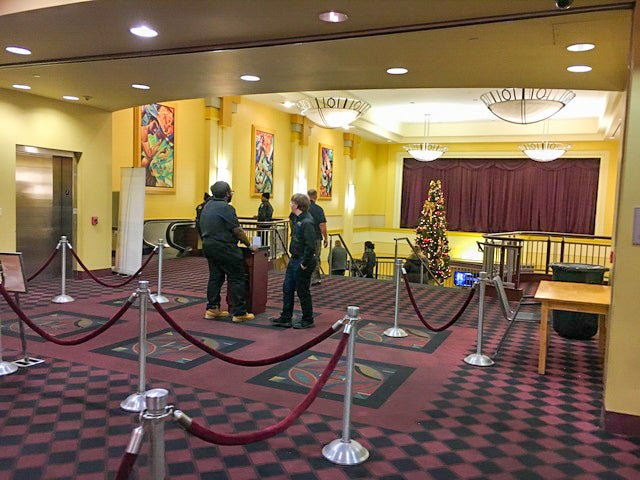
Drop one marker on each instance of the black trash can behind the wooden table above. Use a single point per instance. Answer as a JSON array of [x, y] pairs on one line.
[[575, 325]]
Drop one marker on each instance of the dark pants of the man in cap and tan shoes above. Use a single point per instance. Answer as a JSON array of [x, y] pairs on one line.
[[226, 260]]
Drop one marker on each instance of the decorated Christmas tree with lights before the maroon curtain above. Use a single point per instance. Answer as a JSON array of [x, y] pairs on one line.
[[431, 233]]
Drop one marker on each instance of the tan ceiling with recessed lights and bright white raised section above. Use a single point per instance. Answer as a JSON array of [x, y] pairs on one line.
[[455, 50]]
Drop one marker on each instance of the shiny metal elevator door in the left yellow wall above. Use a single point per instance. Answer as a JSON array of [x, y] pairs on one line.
[[44, 210]]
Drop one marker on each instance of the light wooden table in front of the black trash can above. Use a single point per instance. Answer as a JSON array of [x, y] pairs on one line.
[[572, 297]]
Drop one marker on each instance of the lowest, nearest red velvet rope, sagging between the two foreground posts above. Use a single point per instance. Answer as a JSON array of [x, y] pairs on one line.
[[245, 438]]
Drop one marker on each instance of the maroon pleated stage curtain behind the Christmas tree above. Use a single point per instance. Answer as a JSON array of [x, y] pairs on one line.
[[501, 195]]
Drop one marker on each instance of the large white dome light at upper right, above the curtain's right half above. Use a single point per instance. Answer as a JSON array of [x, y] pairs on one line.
[[526, 105]]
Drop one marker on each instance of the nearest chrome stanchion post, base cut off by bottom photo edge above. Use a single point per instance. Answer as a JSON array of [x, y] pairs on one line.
[[154, 416]]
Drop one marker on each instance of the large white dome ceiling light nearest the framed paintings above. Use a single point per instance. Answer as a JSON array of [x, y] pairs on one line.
[[332, 112]]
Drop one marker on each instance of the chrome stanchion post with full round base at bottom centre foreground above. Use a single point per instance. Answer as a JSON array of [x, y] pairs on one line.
[[345, 451]]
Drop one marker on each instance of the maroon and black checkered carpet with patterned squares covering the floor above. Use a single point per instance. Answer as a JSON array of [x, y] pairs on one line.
[[438, 418]]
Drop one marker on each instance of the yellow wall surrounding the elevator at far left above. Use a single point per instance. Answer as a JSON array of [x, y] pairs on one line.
[[64, 126]]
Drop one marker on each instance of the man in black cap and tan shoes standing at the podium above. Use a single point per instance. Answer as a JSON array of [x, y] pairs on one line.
[[221, 232]]
